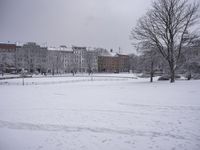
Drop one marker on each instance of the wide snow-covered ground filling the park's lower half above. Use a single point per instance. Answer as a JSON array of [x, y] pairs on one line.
[[100, 114]]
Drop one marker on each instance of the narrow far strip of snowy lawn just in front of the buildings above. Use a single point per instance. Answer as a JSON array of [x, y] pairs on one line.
[[66, 78]]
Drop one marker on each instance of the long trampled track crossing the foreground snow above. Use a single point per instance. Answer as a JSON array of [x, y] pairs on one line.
[[64, 128]]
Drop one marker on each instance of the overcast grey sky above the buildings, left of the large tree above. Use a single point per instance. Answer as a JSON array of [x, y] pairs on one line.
[[95, 23]]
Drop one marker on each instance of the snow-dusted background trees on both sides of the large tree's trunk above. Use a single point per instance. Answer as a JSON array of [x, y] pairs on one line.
[[151, 63]]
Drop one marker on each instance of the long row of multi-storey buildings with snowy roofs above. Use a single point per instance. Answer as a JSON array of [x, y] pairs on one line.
[[36, 59]]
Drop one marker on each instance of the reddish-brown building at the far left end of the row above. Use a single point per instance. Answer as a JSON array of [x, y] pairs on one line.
[[7, 57]]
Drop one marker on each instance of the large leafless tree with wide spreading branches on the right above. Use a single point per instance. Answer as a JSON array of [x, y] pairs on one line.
[[167, 27]]
